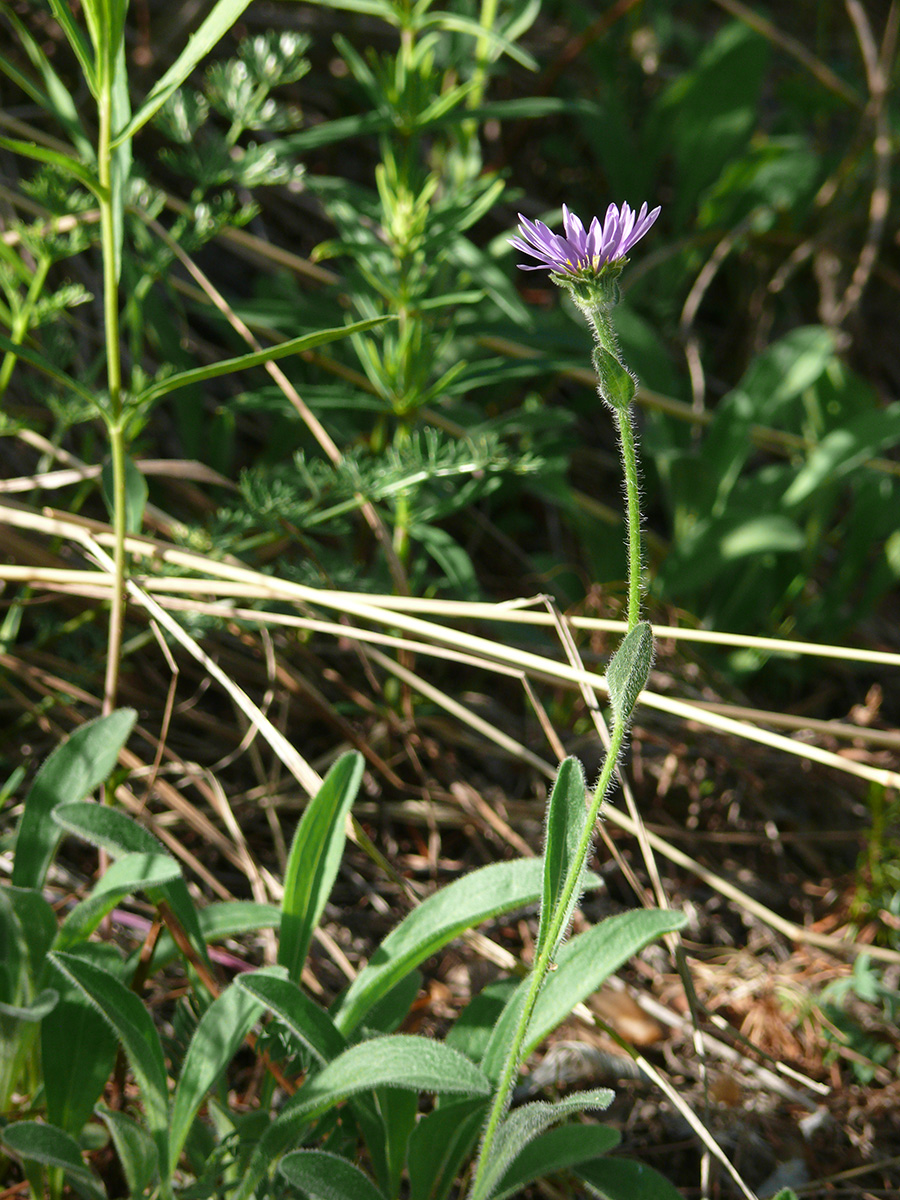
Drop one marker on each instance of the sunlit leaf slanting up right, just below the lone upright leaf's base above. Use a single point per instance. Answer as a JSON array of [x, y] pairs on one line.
[[221, 1031]]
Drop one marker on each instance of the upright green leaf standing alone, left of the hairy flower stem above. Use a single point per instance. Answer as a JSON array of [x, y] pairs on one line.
[[315, 859]]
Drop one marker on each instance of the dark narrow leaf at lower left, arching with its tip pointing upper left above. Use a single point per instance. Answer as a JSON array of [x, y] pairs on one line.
[[135, 1028]]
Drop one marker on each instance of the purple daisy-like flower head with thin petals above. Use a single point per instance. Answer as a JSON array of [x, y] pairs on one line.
[[583, 251]]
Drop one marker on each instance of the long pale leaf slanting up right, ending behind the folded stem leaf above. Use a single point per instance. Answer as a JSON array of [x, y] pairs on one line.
[[449, 913]]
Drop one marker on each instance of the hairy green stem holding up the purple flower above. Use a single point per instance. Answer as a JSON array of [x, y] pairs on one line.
[[616, 389]]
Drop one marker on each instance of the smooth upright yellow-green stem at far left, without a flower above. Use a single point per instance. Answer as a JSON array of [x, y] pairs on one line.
[[113, 415]]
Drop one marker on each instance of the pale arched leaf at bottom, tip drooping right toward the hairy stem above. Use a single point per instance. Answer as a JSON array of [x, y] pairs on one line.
[[399, 1061]]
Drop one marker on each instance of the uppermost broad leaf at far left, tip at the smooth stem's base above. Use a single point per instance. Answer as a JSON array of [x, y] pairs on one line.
[[70, 773]]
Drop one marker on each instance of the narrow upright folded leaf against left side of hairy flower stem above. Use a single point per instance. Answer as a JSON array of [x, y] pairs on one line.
[[567, 815]]
